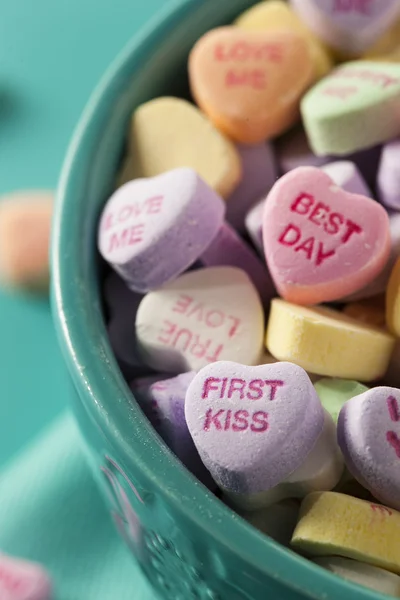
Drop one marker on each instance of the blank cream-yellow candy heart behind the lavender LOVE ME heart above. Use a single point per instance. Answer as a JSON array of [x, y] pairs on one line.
[[161, 139]]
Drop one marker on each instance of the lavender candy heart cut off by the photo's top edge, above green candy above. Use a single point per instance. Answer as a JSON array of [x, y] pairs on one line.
[[348, 25]]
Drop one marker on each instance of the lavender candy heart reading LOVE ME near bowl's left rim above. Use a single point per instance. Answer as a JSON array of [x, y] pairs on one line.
[[151, 230]]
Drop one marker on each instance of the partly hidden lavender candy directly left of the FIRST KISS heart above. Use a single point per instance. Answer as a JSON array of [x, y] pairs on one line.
[[163, 402]]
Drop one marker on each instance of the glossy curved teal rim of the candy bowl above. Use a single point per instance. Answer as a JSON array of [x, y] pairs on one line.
[[94, 370]]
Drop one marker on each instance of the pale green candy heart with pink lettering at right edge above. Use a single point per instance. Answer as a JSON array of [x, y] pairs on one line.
[[354, 107]]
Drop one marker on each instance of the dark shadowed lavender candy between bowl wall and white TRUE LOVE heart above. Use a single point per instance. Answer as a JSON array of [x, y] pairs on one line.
[[123, 305]]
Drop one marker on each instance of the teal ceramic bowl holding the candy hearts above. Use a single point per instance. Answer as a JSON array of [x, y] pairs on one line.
[[189, 545]]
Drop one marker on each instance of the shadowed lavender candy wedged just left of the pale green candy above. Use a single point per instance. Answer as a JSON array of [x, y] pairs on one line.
[[293, 150]]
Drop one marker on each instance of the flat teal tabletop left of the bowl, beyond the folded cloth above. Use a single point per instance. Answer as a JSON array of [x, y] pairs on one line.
[[52, 54]]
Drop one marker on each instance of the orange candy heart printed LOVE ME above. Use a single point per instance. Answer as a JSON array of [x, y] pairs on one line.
[[250, 83]]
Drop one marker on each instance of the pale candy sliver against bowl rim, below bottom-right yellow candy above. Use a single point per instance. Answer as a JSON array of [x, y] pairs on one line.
[[369, 576]]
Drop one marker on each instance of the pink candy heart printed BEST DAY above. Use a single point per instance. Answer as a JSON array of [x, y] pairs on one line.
[[322, 243]]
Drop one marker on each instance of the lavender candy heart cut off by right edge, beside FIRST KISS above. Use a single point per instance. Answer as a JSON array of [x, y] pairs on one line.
[[369, 436]]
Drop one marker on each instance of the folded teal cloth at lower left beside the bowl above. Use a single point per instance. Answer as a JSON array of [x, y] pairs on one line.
[[51, 512]]
